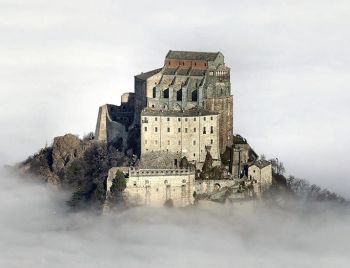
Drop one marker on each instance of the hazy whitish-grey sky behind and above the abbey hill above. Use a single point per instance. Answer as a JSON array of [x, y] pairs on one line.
[[290, 60]]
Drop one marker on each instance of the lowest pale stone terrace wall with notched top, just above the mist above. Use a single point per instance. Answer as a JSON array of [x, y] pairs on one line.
[[153, 187]]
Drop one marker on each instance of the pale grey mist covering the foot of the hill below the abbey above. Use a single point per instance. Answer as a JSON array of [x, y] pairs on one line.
[[38, 230]]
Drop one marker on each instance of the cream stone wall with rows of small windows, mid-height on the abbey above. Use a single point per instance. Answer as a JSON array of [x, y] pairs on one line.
[[182, 135]]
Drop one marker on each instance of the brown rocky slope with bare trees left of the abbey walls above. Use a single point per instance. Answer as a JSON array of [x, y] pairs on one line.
[[81, 165]]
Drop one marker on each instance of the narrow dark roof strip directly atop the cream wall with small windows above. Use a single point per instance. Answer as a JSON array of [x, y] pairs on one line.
[[184, 113]]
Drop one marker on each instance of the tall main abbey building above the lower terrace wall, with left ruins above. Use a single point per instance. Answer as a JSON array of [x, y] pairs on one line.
[[182, 109]]
